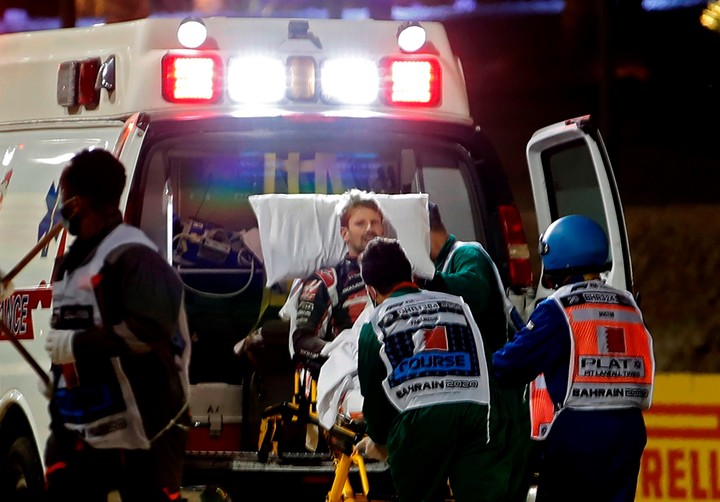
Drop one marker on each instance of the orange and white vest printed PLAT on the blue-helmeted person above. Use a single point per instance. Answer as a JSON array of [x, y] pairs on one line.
[[611, 354]]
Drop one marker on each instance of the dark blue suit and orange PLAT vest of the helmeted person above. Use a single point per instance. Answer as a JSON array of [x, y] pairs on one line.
[[593, 449]]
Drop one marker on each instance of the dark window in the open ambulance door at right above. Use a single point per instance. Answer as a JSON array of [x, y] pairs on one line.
[[572, 182]]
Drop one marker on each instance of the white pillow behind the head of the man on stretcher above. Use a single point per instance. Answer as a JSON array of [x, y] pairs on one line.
[[300, 233]]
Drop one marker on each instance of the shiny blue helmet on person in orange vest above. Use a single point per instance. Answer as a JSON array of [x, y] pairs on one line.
[[574, 244]]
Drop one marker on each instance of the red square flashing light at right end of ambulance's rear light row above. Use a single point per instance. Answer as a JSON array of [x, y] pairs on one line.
[[411, 82]]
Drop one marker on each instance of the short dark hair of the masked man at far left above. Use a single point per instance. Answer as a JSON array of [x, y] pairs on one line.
[[97, 176]]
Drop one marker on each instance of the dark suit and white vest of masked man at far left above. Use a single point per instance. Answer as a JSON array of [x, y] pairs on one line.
[[116, 411]]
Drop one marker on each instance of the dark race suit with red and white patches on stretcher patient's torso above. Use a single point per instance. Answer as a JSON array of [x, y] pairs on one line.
[[330, 300]]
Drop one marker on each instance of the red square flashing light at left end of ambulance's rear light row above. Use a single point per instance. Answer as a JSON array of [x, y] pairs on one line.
[[192, 77]]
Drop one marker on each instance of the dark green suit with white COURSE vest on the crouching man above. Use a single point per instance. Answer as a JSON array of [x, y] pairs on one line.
[[423, 375]]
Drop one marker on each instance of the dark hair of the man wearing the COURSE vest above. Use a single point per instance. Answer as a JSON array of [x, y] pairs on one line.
[[384, 264]]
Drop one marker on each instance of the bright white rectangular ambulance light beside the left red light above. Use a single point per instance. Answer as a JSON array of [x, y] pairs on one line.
[[256, 80]]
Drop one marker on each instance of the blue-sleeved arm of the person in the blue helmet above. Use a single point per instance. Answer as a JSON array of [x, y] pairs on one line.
[[543, 344]]
